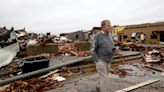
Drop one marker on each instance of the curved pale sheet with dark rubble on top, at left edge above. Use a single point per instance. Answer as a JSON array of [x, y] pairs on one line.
[[8, 46]]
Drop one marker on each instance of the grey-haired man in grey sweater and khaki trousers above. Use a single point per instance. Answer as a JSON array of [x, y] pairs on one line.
[[102, 50]]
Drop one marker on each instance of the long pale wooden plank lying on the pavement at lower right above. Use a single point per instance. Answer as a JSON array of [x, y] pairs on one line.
[[138, 85]]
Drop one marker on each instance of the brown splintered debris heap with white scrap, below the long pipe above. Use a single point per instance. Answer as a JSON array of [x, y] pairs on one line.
[[51, 80]]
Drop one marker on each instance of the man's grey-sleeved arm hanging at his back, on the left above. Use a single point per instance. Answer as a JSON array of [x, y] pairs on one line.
[[94, 48]]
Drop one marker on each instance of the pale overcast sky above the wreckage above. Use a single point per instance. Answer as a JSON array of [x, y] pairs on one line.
[[58, 16]]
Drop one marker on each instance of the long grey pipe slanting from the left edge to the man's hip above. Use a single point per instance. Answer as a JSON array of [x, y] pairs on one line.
[[7, 81]]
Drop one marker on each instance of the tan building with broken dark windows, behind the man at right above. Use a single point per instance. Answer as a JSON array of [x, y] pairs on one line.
[[149, 33]]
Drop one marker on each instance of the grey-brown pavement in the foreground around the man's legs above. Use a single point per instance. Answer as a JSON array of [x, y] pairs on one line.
[[88, 84]]
